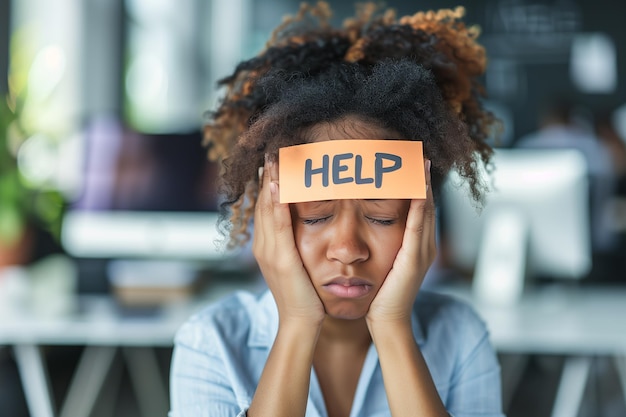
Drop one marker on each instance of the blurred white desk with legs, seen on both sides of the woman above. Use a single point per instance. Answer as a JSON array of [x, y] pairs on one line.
[[578, 322]]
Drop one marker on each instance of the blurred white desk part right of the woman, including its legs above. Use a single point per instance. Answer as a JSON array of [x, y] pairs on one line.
[[576, 322]]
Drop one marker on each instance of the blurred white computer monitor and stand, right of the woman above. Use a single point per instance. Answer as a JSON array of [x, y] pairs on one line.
[[535, 222]]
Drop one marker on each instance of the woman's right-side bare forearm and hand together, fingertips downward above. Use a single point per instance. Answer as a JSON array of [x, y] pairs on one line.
[[408, 383]]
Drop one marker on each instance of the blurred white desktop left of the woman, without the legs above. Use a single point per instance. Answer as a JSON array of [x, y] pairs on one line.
[[99, 320]]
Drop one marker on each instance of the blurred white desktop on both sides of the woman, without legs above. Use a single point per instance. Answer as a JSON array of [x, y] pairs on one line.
[[549, 320]]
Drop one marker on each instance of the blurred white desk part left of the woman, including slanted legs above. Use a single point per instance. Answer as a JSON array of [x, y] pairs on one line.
[[98, 324]]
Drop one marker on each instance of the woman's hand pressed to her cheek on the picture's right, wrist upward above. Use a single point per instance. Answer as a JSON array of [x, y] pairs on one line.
[[395, 298]]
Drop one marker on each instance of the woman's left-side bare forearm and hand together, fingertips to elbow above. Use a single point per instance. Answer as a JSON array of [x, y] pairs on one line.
[[284, 384]]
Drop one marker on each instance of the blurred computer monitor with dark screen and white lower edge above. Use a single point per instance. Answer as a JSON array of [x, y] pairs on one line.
[[144, 196]]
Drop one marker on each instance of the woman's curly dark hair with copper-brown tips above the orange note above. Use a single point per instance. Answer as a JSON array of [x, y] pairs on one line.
[[417, 76]]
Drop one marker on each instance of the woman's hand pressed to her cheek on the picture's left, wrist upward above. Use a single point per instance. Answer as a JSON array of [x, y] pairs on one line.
[[275, 251]]
